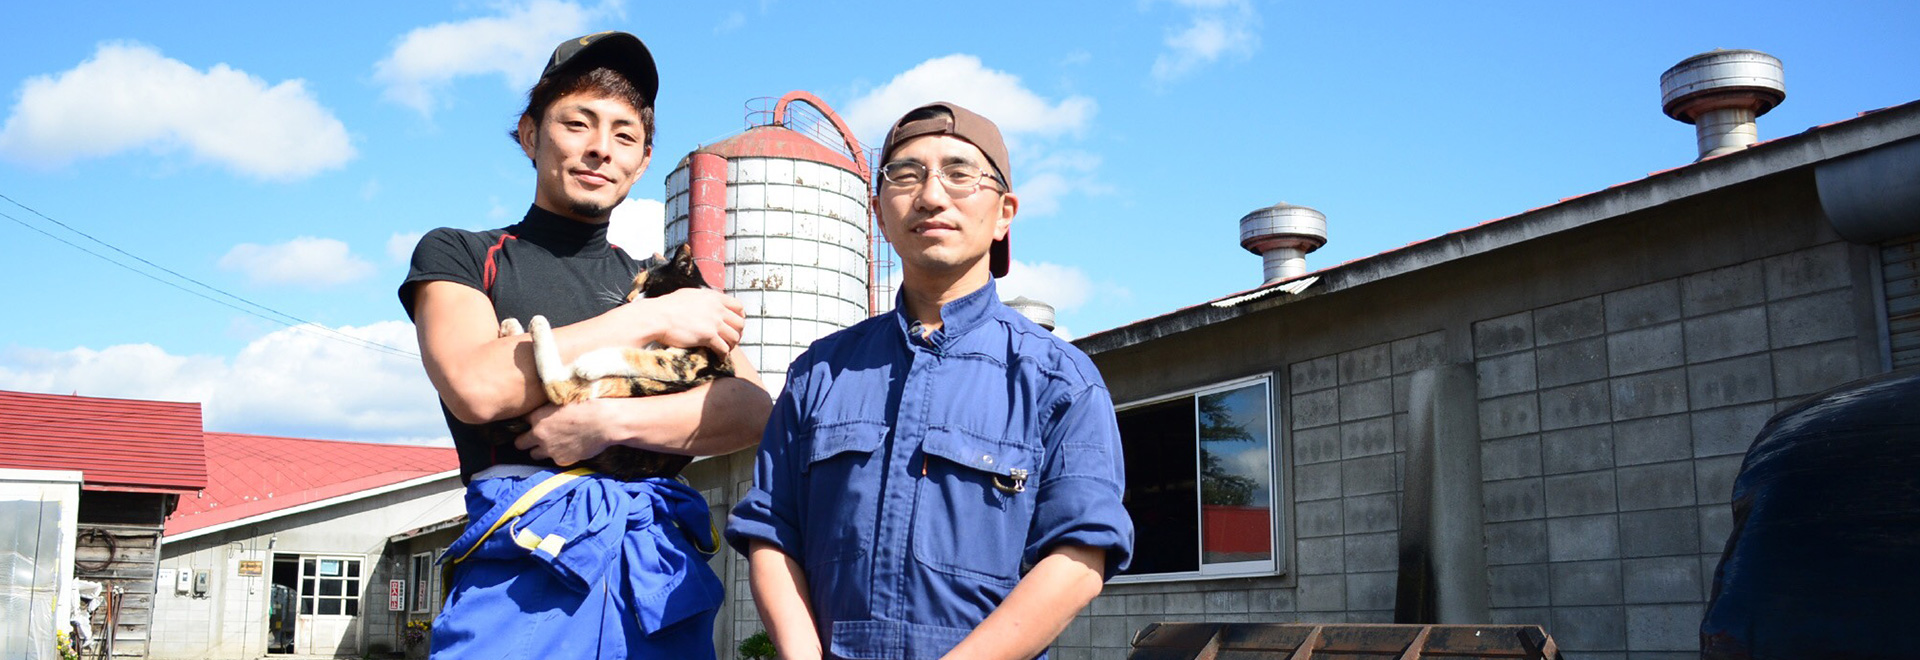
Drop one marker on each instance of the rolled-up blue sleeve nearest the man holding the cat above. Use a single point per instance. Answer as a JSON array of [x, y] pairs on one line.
[[773, 507]]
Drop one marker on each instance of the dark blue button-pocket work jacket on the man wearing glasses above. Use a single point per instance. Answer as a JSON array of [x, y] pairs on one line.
[[919, 479]]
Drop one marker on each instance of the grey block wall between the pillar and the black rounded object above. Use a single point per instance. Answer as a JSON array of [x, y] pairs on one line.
[[1614, 427]]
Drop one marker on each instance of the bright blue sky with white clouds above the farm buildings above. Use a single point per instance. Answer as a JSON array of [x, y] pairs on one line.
[[291, 153]]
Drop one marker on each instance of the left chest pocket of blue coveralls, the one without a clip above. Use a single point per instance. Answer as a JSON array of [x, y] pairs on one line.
[[842, 492]]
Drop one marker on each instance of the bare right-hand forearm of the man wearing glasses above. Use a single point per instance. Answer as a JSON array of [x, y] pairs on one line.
[[1040, 609]]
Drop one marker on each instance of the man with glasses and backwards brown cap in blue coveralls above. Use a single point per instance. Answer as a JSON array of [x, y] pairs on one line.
[[942, 481]]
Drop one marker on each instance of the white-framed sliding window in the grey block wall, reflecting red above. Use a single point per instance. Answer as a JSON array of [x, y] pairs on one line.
[[1201, 483]]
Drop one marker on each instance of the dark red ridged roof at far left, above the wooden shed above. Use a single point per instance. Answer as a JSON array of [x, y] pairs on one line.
[[116, 444]]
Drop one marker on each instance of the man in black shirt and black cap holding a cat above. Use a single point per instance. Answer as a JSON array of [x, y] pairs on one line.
[[646, 590]]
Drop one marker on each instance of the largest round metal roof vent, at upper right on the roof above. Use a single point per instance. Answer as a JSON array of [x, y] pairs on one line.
[[1721, 93]]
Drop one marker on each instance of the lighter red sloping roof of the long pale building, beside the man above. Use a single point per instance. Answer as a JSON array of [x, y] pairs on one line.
[[260, 475]]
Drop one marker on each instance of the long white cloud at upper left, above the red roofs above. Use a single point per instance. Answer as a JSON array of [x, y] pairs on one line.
[[132, 97]]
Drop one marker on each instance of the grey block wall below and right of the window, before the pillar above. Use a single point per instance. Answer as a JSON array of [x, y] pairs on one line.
[[1345, 423]]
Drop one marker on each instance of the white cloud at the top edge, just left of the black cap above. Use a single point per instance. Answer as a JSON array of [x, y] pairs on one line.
[[514, 45]]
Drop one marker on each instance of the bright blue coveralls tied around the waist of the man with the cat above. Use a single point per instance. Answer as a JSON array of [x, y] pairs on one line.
[[590, 569]]
